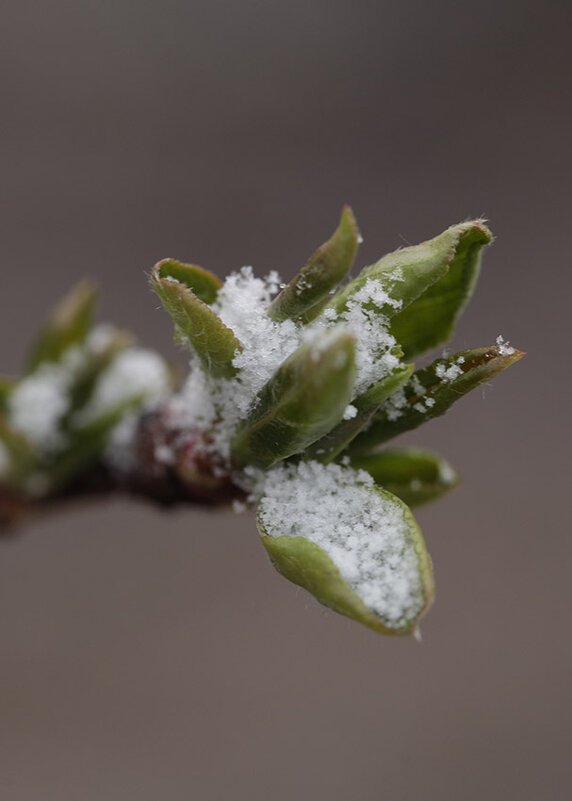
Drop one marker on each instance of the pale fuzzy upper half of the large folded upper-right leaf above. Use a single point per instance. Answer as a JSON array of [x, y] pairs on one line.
[[408, 272]]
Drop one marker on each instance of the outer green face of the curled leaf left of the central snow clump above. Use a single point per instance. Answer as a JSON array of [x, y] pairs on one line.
[[196, 323]]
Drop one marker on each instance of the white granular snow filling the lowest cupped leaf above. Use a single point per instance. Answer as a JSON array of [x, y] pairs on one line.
[[363, 532]]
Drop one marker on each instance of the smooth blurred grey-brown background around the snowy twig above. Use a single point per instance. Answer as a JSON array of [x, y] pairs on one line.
[[151, 656]]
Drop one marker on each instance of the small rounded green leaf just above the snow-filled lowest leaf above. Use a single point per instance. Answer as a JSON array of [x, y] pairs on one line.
[[415, 475]]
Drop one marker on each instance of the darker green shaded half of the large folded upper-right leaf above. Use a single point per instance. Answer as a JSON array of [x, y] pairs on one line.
[[430, 319]]
